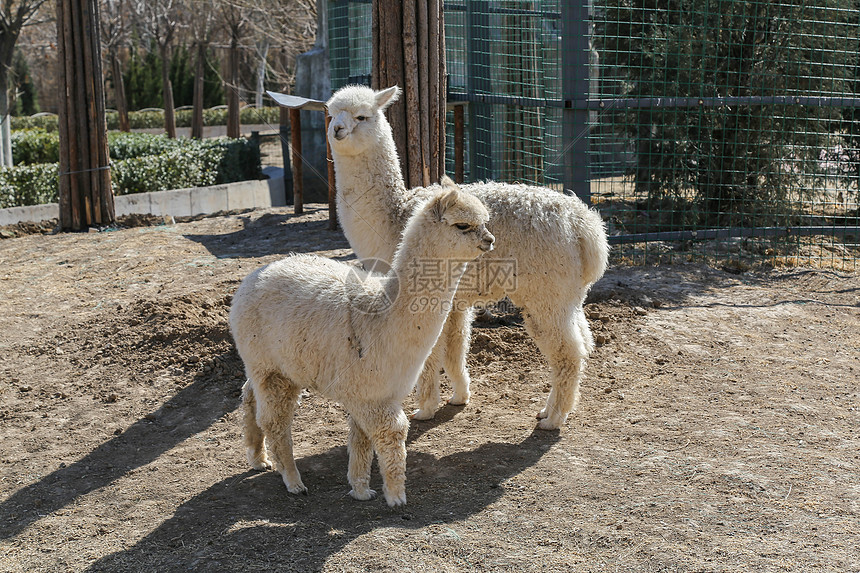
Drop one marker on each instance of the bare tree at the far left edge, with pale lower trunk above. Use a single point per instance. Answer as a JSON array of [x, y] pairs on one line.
[[14, 15]]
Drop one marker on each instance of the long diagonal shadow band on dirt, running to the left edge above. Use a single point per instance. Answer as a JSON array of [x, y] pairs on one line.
[[191, 410]]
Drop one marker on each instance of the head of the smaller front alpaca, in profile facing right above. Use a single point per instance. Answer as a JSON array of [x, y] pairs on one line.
[[459, 223]]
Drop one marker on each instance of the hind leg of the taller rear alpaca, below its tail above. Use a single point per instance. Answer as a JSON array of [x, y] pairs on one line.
[[560, 339]]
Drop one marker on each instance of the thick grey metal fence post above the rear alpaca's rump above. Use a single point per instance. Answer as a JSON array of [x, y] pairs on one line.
[[575, 91]]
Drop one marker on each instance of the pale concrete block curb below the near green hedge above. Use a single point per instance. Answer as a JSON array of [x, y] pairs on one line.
[[178, 203]]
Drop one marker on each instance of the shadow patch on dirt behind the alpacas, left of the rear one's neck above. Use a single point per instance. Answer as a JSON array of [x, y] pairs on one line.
[[273, 233]]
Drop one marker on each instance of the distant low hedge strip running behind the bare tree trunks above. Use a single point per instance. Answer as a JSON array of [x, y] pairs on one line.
[[155, 119]]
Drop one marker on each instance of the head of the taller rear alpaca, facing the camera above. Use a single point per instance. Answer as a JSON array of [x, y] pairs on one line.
[[357, 119]]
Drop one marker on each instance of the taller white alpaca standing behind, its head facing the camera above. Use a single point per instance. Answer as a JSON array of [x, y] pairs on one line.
[[553, 249]]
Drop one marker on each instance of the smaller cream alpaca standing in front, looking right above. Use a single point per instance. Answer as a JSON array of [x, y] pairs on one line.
[[355, 337]]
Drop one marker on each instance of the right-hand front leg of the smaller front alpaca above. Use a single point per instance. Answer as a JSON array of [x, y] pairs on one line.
[[387, 429]]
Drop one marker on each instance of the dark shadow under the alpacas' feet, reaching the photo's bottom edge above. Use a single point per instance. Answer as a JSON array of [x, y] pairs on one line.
[[249, 521]]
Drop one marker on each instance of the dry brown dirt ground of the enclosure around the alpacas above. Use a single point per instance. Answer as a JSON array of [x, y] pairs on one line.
[[718, 427]]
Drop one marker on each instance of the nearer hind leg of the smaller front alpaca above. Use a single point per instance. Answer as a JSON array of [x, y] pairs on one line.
[[277, 400]]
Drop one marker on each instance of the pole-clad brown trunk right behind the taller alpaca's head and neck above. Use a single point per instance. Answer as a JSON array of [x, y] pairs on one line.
[[409, 51]]
